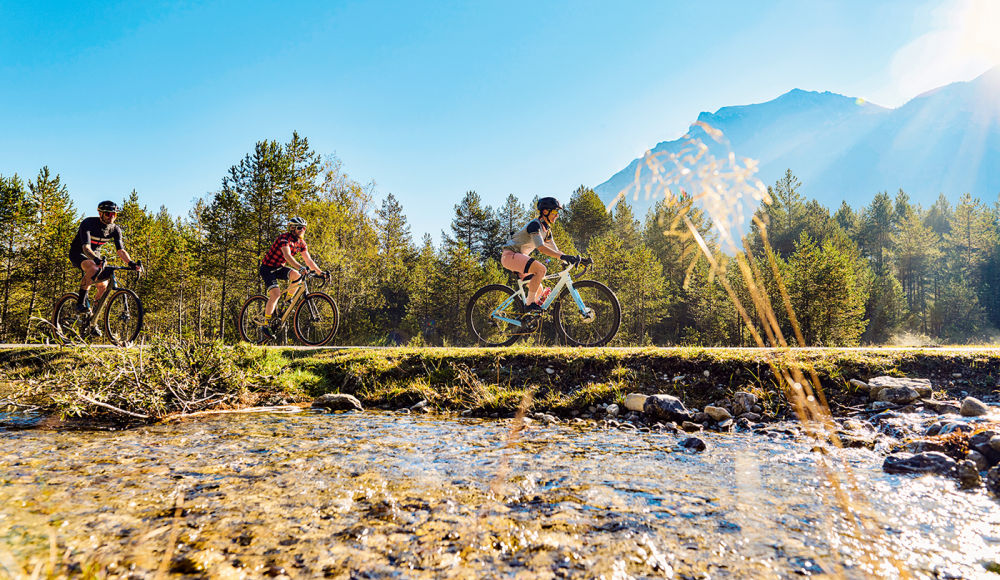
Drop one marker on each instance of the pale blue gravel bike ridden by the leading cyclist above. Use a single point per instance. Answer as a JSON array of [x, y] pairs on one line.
[[587, 313]]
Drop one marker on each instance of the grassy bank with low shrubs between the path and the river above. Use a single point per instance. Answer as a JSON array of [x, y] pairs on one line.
[[179, 378]]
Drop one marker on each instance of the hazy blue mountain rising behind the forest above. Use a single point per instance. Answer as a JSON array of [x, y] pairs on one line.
[[841, 148]]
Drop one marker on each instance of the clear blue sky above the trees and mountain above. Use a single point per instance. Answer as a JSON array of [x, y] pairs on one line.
[[432, 101]]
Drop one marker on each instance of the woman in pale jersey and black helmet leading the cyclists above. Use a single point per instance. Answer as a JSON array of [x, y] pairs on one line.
[[536, 235]]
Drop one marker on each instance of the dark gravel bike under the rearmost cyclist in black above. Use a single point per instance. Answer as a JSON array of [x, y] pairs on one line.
[[121, 307]]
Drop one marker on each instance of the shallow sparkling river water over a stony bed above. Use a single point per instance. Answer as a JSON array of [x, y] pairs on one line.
[[379, 495]]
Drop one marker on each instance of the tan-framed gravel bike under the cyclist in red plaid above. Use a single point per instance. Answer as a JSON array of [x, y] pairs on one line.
[[314, 315]]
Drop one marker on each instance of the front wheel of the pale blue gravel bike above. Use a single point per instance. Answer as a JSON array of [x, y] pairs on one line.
[[599, 324]]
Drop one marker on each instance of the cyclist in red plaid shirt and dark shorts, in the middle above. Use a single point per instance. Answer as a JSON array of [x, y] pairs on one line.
[[275, 266]]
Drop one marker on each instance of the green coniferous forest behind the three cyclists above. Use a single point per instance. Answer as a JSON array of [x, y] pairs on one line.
[[892, 272]]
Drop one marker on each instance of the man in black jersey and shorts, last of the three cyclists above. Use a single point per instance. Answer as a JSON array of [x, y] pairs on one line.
[[85, 251]]
